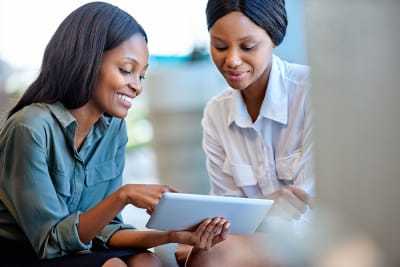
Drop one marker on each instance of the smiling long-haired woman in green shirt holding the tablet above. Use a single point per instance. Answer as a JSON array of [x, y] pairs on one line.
[[62, 153]]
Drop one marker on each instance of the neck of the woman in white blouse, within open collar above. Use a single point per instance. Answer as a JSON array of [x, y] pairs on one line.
[[254, 94]]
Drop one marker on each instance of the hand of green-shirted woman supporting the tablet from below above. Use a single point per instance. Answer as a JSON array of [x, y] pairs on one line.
[[206, 235]]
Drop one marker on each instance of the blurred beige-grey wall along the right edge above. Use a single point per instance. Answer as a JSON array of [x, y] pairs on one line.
[[354, 53]]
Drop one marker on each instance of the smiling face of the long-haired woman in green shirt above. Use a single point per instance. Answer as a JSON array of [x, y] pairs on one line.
[[120, 78]]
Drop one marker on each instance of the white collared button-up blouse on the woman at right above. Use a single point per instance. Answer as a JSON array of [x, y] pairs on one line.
[[256, 159]]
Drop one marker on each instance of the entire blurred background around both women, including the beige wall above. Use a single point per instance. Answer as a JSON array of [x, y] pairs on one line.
[[352, 47]]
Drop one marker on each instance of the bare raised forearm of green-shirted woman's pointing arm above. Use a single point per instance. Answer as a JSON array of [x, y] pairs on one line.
[[94, 220]]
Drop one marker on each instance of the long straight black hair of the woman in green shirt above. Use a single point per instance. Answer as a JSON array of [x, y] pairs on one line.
[[73, 57]]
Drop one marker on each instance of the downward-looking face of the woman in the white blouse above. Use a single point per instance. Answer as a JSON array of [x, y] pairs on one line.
[[241, 50]]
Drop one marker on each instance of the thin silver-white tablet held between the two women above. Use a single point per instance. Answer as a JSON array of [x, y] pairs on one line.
[[177, 211]]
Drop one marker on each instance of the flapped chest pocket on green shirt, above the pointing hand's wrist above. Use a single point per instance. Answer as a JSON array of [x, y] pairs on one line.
[[102, 172]]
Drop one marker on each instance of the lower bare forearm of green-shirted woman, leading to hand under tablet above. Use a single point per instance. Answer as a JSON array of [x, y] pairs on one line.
[[141, 239]]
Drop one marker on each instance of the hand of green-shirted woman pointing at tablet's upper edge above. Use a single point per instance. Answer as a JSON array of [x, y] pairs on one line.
[[145, 196]]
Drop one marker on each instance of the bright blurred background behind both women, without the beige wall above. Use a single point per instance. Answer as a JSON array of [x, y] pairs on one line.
[[164, 127]]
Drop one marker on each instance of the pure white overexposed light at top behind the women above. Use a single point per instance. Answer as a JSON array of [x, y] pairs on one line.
[[174, 27]]
